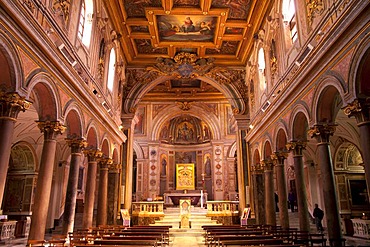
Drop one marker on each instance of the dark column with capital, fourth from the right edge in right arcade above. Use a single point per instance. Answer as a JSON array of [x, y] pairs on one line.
[[278, 159]]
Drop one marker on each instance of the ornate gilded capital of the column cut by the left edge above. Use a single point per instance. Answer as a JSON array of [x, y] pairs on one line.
[[11, 103]]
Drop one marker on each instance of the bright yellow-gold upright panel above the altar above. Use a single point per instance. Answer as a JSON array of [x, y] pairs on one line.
[[185, 177]]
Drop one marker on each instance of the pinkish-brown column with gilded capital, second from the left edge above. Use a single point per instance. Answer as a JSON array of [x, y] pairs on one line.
[[44, 179]]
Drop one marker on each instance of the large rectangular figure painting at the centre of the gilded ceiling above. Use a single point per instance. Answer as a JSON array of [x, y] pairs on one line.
[[186, 27]]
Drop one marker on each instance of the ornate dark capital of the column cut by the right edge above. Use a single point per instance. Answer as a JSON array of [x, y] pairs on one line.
[[360, 109]]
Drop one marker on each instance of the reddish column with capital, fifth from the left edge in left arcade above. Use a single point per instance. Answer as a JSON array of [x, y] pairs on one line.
[[102, 212]]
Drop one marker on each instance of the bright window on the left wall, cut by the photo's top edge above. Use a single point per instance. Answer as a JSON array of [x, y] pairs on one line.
[[85, 24]]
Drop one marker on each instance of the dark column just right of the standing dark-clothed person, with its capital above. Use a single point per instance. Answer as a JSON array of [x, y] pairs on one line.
[[322, 133]]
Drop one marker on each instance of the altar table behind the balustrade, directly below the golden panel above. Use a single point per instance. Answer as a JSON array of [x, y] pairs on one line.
[[173, 198]]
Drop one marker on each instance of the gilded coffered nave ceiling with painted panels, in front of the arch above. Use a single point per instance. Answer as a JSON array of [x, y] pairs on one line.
[[219, 29]]
